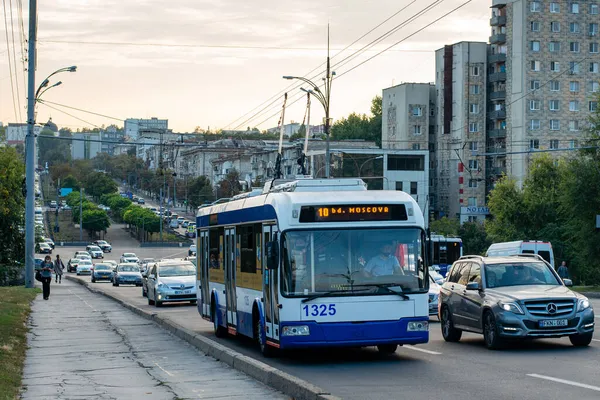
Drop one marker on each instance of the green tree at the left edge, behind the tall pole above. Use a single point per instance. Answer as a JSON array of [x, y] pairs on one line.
[[12, 206]]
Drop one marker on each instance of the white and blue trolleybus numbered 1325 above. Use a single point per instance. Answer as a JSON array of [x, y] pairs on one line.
[[315, 263]]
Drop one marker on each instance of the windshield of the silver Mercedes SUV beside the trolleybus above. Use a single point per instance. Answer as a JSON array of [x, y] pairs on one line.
[[517, 274]]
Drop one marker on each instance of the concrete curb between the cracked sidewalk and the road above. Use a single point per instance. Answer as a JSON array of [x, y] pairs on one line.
[[290, 385]]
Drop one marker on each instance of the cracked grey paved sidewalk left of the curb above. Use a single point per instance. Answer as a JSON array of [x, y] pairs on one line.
[[83, 345]]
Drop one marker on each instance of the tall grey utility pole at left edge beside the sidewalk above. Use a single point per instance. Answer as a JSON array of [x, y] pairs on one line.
[[30, 150]]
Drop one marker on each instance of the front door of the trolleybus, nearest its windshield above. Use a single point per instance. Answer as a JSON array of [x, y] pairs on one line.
[[270, 288]]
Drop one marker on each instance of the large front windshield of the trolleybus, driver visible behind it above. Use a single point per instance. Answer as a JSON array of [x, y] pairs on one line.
[[359, 260]]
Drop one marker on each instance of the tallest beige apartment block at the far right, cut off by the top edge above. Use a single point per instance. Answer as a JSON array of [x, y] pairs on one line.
[[552, 74]]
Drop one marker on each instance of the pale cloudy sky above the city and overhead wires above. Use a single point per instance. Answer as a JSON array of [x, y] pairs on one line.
[[210, 63]]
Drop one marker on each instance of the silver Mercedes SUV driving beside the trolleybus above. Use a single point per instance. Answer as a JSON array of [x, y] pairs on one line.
[[513, 297]]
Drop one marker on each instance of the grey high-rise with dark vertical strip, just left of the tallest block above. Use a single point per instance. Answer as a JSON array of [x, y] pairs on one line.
[[460, 140]]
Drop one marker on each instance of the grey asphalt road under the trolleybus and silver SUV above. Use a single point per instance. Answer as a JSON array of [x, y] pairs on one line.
[[542, 369]]
